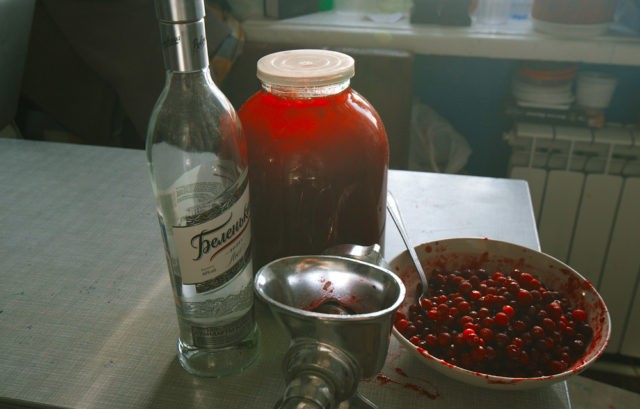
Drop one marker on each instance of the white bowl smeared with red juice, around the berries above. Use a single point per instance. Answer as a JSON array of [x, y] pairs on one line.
[[494, 255]]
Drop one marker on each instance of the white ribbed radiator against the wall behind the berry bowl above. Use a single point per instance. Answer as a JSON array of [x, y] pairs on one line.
[[585, 189]]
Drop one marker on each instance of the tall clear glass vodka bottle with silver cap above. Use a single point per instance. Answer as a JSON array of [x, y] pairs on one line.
[[197, 160]]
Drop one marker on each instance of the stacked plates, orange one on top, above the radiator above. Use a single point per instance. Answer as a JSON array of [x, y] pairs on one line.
[[544, 85]]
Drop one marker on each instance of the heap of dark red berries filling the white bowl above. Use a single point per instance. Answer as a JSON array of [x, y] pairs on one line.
[[503, 324]]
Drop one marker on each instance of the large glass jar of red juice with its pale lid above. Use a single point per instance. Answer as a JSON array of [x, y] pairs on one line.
[[318, 157]]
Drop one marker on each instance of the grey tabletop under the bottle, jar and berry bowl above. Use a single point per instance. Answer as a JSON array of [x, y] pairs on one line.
[[86, 313]]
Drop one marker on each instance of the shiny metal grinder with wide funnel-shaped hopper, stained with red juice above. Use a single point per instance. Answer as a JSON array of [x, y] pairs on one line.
[[339, 312]]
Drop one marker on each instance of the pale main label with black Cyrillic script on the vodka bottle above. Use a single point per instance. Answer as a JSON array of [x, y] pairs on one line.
[[209, 249]]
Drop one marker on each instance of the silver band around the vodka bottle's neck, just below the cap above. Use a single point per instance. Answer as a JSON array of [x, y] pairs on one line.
[[184, 46]]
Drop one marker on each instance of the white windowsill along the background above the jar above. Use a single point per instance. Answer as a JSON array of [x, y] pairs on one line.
[[515, 40]]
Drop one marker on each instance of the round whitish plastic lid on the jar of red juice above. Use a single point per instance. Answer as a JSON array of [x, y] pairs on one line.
[[297, 68]]
